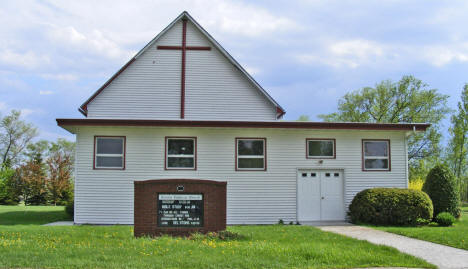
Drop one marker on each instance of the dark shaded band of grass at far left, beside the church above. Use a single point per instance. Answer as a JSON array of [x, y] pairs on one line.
[[24, 217]]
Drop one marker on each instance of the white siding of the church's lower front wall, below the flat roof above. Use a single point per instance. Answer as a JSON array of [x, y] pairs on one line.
[[254, 197]]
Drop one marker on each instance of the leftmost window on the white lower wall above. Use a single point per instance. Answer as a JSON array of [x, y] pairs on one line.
[[109, 152]]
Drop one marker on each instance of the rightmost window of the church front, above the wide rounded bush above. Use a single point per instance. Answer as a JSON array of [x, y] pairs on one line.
[[376, 155]]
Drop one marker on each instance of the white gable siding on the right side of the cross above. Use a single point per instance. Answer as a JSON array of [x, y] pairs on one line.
[[217, 90]]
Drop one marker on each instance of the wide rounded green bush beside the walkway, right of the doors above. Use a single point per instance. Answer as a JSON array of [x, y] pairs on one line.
[[391, 206]]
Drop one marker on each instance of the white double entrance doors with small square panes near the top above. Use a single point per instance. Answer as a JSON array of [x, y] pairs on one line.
[[320, 195]]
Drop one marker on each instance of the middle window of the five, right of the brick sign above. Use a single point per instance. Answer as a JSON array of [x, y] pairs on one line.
[[251, 154]]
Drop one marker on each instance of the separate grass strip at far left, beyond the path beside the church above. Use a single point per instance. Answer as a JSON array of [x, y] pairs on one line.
[[21, 215]]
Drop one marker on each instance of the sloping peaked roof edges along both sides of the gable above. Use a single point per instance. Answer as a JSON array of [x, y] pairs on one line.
[[185, 15]]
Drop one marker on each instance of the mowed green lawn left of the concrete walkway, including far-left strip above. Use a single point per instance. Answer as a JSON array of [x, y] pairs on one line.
[[29, 245]]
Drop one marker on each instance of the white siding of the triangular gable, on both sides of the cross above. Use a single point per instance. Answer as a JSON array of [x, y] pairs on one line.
[[215, 89]]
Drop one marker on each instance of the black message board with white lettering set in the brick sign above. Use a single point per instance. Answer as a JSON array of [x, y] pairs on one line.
[[180, 210]]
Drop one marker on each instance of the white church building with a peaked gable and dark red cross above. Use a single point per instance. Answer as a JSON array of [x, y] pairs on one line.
[[183, 108]]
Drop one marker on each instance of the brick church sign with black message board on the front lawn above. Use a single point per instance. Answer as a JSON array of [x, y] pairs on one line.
[[179, 207]]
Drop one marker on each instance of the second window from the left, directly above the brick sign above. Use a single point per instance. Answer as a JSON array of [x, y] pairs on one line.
[[181, 153]]
